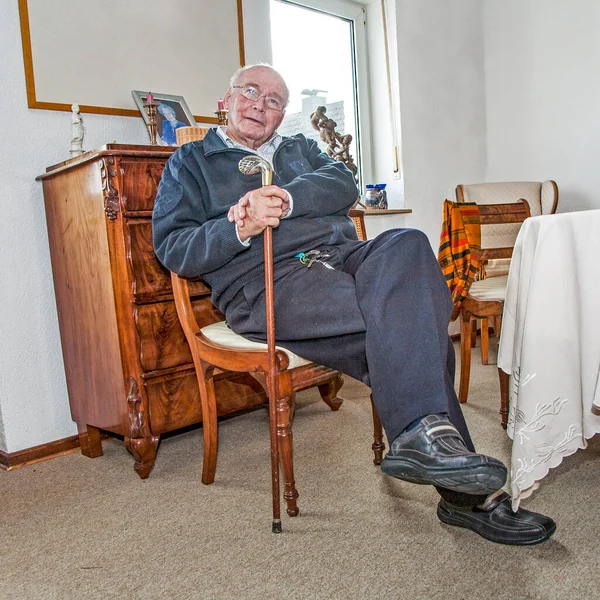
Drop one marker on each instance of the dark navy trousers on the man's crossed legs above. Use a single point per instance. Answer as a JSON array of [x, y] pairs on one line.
[[381, 316]]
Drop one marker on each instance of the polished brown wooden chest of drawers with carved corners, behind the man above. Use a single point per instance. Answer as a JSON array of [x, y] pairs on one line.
[[128, 366]]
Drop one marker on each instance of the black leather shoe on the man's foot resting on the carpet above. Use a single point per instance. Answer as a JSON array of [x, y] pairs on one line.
[[498, 523]]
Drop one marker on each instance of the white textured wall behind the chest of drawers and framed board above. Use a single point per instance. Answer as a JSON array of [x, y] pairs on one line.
[[34, 407]]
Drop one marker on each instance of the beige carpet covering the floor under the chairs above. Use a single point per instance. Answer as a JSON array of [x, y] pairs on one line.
[[75, 528]]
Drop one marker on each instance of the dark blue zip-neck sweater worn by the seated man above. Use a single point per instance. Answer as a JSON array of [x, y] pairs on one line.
[[201, 180]]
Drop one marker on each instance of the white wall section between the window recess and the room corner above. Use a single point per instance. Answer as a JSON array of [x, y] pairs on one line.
[[442, 99]]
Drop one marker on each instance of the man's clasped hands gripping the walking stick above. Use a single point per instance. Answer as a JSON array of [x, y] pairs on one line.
[[259, 209]]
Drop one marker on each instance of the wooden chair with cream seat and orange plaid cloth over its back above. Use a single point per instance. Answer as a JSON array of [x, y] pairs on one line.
[[486, 296]]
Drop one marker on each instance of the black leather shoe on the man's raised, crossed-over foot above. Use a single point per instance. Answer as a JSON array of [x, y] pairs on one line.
[[434, 453]]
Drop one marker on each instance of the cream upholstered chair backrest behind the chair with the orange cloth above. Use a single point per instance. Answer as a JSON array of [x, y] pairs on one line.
[[542, 198]]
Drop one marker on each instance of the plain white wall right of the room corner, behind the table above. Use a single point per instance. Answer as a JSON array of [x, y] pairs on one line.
[[543, 95]]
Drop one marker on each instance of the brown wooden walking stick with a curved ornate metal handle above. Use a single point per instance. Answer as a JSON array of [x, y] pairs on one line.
[[250, 165]]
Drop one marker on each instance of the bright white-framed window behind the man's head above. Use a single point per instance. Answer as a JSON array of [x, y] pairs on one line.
[[316, 49]]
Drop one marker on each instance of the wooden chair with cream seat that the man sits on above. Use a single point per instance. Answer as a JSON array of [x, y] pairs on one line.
[[217, 350]]
